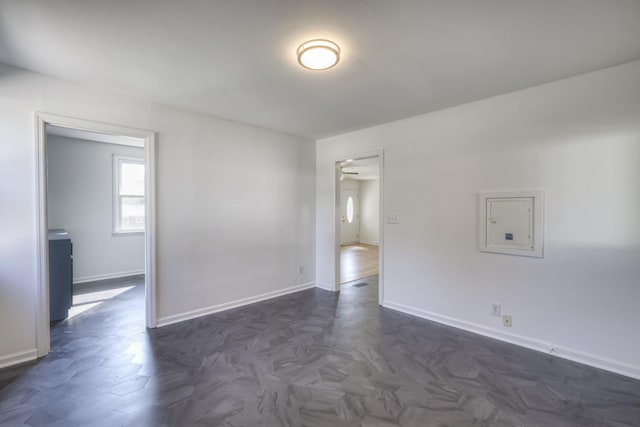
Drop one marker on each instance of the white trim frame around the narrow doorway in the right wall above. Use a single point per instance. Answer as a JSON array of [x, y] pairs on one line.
[[336, 208]]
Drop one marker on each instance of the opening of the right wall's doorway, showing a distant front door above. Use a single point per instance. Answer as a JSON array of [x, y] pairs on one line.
[[359, 208]]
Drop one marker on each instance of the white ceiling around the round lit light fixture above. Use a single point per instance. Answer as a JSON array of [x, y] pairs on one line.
[[236, 59]]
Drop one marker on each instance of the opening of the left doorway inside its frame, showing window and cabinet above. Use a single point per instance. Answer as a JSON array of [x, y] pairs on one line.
[[95, 204]]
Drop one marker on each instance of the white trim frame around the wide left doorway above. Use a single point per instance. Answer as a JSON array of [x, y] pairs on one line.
[[42, 119]]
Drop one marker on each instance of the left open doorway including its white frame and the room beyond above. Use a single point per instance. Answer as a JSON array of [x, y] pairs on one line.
[[96, 229]]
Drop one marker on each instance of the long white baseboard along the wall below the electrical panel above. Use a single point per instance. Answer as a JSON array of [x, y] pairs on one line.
[[530, 343]]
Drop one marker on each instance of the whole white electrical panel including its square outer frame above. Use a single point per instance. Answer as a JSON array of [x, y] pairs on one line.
[[511, 223]]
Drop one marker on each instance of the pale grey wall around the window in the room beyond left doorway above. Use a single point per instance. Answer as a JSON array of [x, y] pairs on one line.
[[80, 190]]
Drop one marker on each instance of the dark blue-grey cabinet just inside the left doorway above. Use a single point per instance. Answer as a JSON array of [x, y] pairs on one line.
[[60, 274]]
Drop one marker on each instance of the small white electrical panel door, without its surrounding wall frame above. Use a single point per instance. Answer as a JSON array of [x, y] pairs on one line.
[[510, 222]]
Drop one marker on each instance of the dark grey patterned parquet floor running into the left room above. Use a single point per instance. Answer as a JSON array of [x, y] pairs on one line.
[[313, 358]]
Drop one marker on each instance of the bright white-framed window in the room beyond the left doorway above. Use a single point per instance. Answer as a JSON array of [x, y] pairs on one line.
[[128, 195]]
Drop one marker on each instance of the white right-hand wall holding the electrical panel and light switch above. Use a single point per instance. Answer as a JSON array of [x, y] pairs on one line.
[[576, 139]]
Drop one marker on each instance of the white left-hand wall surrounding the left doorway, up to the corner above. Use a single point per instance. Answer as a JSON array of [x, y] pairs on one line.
[[235, 203]]
